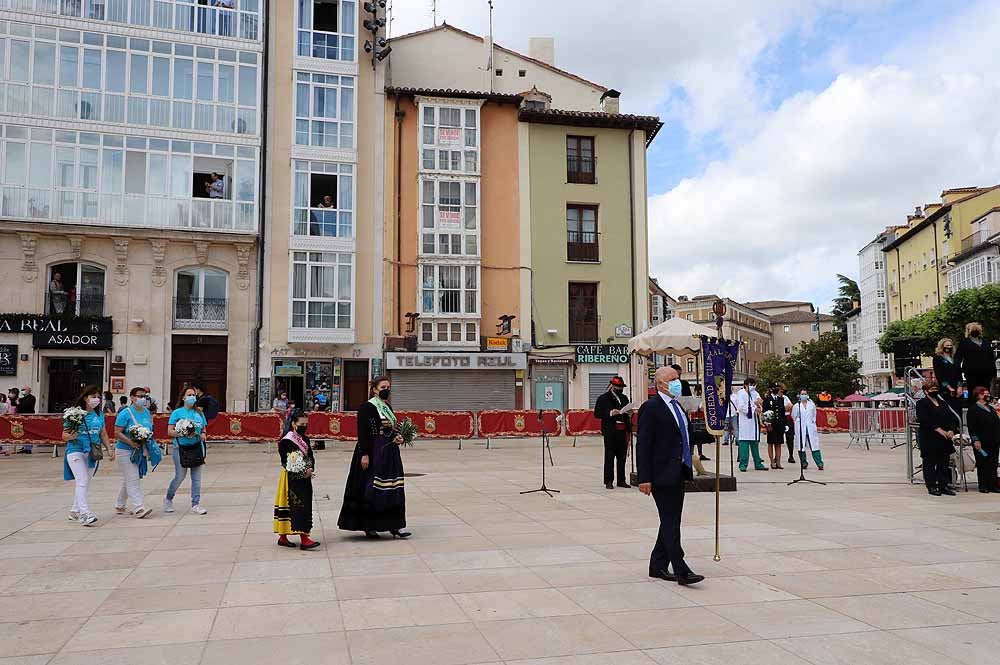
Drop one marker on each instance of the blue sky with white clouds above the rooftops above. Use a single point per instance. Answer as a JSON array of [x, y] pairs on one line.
[[795, 130]]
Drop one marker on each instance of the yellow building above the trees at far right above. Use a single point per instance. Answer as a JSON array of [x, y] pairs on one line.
[[918, 259]]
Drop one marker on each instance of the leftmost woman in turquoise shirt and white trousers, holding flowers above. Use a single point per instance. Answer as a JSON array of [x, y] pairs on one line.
[[79, 464]]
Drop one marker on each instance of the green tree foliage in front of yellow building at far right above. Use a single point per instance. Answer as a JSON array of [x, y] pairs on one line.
[[948, 320]]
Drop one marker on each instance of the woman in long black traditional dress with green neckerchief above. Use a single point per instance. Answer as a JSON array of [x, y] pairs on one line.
[[374, 499]]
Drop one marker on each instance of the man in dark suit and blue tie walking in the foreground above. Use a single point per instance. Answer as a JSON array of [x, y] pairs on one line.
[[663, 456]]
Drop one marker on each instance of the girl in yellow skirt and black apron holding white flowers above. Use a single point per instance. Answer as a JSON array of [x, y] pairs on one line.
[[293, 500]]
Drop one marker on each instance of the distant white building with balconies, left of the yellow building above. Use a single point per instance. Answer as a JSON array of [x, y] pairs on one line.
[[876, 367]]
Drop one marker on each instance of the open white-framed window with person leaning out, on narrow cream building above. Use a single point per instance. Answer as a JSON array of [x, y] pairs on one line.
[[324, 200]]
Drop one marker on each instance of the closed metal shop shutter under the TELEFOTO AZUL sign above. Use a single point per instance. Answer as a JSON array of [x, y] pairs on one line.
[[452, 390]]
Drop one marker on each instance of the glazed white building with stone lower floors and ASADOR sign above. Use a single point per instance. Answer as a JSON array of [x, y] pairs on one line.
[[131, 169]]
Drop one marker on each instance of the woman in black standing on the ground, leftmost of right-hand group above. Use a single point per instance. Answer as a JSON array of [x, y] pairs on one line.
[[938, 426]]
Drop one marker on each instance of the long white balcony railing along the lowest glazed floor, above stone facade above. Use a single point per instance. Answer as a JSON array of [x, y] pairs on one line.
[[137, 210]]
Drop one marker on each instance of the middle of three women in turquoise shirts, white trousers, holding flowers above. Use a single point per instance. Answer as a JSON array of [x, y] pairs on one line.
[[132, 455]]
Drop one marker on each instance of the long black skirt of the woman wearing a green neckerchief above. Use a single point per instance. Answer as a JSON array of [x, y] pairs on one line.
[[374, 498]]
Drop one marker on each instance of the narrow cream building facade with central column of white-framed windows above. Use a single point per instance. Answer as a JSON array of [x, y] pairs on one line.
[[321, 337]]
